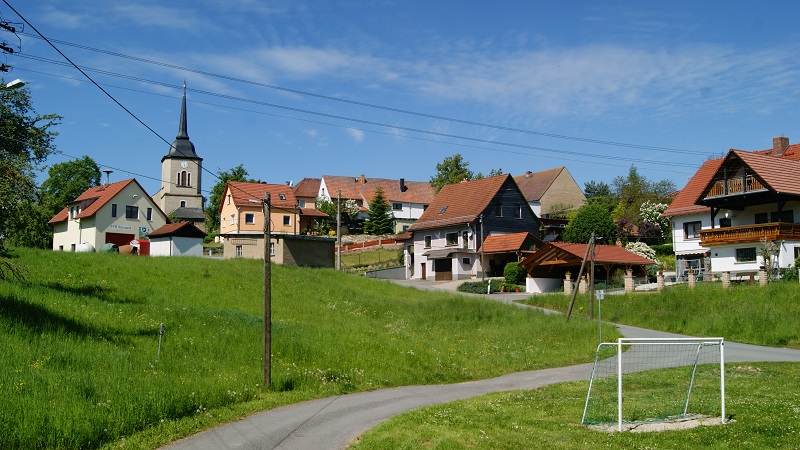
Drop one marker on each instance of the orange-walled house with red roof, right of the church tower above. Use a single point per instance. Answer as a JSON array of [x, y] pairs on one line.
[[242, 226]]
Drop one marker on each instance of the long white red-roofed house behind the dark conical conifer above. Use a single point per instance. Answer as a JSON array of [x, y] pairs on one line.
[[407, 198]]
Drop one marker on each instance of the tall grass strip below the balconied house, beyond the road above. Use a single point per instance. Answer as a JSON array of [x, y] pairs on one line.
[[751, 314]]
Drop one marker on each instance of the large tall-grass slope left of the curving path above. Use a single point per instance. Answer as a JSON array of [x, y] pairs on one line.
[[80, 365]]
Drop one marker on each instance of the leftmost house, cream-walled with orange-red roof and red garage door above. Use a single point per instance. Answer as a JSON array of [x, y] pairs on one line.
[[114, 213]]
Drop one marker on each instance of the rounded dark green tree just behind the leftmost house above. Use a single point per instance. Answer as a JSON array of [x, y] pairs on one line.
[[66, 181]]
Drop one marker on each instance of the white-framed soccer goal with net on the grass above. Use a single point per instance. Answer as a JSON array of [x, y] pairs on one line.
[[656, 380]]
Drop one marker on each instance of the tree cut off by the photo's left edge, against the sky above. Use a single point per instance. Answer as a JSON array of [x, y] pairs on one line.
[[26, 140]]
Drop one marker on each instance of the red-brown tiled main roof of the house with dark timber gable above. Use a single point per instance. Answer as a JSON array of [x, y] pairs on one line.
[[460, 203]]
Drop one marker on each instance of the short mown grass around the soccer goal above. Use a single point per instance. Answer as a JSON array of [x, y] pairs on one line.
[[763, 401]]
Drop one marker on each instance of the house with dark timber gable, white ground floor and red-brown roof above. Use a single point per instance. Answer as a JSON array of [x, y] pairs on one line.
[[447, 239]]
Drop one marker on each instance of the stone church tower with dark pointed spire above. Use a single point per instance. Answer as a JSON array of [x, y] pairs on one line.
[[181, 174]]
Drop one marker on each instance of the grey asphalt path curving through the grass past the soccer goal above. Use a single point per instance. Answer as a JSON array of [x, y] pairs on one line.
[[335, 422]]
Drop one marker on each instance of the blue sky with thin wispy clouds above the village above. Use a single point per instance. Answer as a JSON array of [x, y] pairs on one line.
[[302, 89]]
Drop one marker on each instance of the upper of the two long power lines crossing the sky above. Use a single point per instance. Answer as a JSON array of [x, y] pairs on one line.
[[372, 105]]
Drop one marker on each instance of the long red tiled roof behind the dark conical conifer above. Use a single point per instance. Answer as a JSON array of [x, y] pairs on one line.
[[419, 192]]
